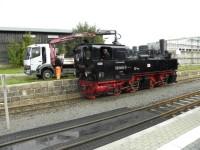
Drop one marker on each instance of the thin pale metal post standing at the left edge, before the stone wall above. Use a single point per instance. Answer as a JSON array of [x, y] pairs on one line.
[[4, 89]]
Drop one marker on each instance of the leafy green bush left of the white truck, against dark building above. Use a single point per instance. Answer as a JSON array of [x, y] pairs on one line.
[[16, 50]]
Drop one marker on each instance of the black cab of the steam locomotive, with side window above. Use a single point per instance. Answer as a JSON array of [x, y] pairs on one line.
[[95, 62]]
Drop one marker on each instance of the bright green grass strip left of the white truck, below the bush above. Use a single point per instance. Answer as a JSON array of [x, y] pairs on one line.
[[11, 70]]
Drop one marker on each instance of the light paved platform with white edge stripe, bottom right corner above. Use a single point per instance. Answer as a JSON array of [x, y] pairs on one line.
[[181, 132]]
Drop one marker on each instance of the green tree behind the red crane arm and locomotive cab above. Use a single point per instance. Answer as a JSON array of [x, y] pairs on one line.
[[81, 27]]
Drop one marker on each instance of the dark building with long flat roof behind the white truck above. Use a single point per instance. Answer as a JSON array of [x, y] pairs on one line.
[[8, 35]]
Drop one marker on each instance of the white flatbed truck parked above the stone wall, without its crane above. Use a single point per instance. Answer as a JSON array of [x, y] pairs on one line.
[[38, 60]]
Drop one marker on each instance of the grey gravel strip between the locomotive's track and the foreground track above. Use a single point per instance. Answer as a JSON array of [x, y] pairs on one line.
[[89, 107]]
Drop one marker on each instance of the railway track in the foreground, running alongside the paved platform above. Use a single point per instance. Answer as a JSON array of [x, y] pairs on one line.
[[144, 116]]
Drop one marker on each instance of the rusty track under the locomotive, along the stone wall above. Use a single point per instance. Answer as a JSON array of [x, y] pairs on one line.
[[23, 107]]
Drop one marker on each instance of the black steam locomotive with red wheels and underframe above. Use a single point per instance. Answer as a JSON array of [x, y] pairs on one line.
[[114, 68]]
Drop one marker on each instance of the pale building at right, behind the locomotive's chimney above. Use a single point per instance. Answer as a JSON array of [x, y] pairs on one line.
[[186, 50]]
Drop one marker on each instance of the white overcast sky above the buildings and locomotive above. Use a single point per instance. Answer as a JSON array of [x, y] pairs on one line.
[[138, 21]]
